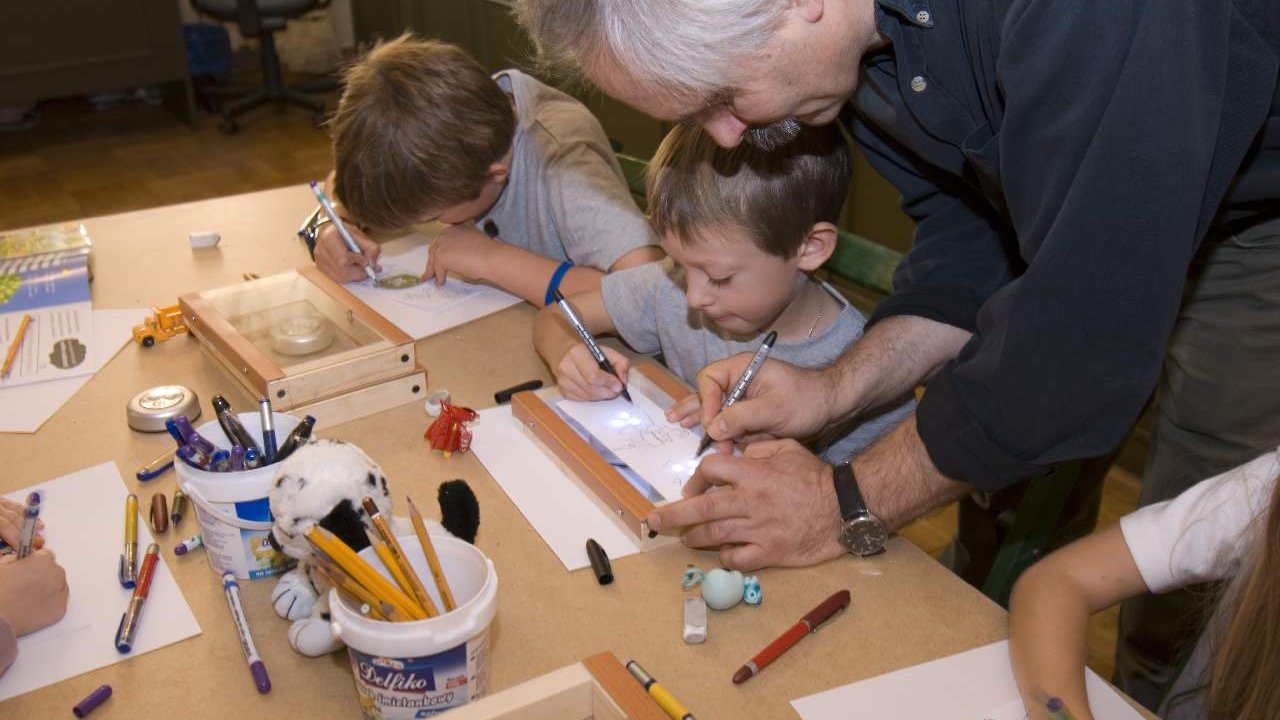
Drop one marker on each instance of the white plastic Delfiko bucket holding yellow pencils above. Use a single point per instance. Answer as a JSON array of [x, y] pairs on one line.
[[410, 671]]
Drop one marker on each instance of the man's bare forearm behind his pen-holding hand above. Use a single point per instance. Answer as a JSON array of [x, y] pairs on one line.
[[890, 361]]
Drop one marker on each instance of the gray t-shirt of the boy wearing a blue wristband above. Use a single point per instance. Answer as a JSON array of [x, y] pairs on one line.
[[568, 198]]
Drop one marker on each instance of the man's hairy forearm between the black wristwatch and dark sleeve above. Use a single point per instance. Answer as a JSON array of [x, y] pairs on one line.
[[899, 481]]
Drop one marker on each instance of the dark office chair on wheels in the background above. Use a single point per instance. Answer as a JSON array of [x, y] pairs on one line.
[[262, 20]]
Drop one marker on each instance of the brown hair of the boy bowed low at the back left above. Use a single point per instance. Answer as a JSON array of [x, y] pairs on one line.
[[417, 130]]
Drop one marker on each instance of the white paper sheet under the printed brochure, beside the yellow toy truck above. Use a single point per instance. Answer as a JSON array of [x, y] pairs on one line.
[[29, 407]]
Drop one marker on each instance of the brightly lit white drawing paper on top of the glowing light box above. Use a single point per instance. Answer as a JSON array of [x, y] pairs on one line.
[[641, 436]]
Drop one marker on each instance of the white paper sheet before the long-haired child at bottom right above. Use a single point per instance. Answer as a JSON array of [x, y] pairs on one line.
[[976, 685]]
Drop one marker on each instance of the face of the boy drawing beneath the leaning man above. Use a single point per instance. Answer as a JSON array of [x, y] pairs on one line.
[[732, 281]]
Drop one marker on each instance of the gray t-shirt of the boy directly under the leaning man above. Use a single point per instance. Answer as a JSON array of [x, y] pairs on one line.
[[648, 308]]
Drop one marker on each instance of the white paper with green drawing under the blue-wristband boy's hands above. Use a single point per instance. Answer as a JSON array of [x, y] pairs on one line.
[[427, 309]]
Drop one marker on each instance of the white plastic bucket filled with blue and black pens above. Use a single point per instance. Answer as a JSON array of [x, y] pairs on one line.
[[232, 508]]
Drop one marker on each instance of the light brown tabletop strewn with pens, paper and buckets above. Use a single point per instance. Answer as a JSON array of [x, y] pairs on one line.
[[907, 608]]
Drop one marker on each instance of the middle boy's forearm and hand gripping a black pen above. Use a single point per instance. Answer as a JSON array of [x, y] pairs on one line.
[[565, 353]]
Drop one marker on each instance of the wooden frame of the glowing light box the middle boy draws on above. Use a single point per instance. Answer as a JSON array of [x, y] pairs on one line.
[[616, 496]]
